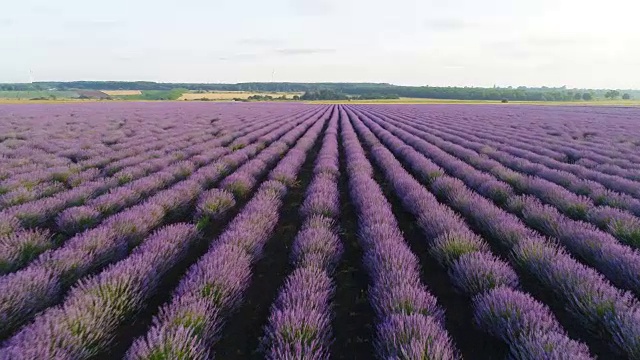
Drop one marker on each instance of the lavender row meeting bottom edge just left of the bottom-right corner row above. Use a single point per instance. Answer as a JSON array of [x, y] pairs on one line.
[[500, 309]]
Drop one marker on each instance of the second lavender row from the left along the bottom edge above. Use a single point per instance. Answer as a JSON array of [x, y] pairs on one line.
[[214, 287]]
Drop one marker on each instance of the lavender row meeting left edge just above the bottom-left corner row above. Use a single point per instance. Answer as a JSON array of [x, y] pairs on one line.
[[45, 281]]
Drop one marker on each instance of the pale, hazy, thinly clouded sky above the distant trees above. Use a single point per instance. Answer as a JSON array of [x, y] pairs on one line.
[[574, 43]]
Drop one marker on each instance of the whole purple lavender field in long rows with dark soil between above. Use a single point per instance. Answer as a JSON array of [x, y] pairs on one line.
[[293, 231]]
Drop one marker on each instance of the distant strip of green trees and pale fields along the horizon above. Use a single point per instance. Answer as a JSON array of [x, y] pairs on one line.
[[351, 90]]
